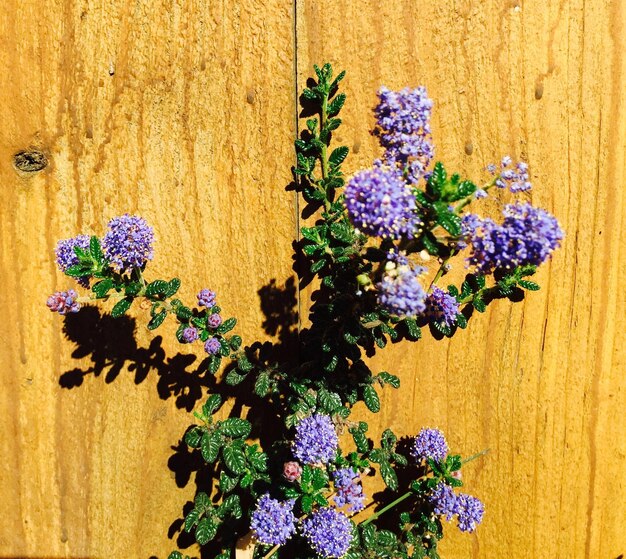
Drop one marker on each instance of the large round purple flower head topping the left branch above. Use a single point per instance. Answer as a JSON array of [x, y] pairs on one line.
[[128, 242]]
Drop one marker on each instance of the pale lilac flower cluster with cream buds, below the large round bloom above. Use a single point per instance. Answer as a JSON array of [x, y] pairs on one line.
[[400, 291]]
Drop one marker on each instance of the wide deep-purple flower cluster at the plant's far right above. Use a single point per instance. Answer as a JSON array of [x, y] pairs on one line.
[[527, 236]]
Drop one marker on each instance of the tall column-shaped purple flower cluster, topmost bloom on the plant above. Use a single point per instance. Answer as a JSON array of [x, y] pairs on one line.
[[403, 129]]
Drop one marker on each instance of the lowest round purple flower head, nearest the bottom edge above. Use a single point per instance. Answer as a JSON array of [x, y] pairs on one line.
[[329, 532]]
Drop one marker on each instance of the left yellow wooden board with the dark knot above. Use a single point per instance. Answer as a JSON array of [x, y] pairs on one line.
[[181, 111]]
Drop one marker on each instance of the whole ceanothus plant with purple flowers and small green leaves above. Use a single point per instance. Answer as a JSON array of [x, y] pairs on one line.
[[300, 493]]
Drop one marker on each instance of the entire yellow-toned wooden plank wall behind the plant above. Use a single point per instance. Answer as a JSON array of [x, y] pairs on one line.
[[184, 111]]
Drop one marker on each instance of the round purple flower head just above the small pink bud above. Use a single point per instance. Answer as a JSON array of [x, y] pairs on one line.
[[316, 440]]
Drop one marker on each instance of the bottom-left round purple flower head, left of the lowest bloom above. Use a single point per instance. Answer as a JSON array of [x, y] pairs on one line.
[[273, 522]]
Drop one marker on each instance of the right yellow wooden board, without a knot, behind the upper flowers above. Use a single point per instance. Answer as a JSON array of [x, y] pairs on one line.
[[541, 384]]
